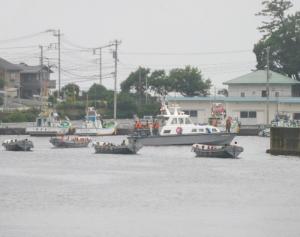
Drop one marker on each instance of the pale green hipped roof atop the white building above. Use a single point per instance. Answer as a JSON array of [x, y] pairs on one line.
[[260, 77]]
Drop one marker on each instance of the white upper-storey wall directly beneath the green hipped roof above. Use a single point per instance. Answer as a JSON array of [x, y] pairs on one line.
[[256, 90]]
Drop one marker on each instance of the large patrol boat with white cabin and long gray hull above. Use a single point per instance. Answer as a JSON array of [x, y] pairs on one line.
[[174, 127]]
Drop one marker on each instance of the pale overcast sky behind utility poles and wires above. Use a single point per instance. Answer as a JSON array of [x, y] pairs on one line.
[[216, 36]]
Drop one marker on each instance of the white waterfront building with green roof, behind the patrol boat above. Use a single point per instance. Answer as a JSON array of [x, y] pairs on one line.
[[247, 99]]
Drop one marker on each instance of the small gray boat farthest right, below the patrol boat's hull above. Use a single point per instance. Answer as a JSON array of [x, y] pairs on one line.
[[227, 151]]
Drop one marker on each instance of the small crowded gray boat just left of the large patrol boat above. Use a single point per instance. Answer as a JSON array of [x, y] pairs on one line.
[[131, 147]]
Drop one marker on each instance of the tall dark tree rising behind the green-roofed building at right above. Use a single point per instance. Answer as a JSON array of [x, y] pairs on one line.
[[283, 38]]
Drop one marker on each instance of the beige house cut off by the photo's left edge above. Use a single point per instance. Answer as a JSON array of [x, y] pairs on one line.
[[10, 74]]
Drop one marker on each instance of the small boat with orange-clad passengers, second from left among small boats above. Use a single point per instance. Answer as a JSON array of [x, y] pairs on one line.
[[70, 142]]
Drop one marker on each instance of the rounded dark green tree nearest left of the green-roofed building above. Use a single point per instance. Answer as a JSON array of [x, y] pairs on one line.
[[189, 82]]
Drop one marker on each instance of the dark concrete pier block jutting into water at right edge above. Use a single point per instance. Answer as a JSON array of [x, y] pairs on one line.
[[285, 141]]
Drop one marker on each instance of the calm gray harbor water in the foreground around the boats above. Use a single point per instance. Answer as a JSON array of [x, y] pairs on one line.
[[162, 191]]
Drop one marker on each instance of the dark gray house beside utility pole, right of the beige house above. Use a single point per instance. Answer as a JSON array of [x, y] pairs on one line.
[[35, 81]]
